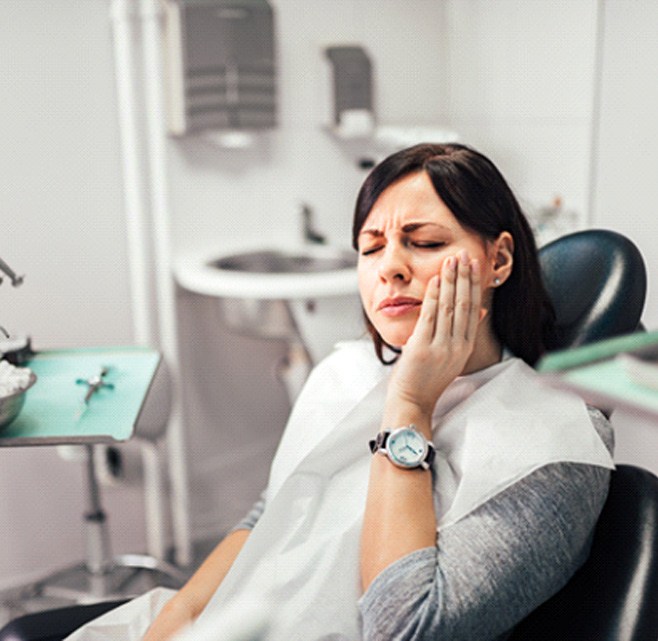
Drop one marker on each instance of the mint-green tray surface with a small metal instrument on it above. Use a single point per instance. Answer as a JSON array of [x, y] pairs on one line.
[[54, 412]]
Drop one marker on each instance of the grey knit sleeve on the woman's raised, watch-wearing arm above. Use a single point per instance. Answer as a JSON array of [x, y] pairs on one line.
[[492, 568]]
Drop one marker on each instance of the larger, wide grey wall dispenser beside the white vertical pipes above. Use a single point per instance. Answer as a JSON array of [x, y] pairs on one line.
[[220, 65]]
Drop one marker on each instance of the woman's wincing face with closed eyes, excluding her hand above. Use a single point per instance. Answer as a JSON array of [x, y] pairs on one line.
[[402, 244]]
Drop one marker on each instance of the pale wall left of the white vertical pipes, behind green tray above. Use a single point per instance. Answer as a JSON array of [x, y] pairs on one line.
[[61, 215]]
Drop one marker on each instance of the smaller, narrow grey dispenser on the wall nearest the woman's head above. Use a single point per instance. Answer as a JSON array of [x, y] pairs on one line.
[[353, 114]]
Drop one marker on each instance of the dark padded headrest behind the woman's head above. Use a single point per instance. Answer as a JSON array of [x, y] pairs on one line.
[[597, 281]]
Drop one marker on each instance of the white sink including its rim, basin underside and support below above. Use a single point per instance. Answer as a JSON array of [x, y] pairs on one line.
[[306, 295]]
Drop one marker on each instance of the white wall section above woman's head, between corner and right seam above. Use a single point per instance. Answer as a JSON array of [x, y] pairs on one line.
[[520, 88]]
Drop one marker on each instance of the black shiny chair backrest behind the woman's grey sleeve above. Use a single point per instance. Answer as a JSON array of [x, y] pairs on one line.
[[614, 595]]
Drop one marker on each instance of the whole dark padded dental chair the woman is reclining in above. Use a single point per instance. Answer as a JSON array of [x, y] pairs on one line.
[[597, 282]]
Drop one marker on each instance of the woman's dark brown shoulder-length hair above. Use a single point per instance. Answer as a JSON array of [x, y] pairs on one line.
[[481, 200]]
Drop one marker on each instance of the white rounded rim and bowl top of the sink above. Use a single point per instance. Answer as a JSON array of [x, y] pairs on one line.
[[270, 272]]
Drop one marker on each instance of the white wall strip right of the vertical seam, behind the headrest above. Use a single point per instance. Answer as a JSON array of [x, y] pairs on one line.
[[626, 185]]
